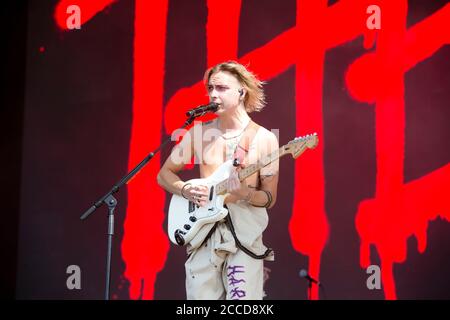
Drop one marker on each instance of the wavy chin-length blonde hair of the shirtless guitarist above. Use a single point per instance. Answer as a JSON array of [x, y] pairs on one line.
[[255, 99]]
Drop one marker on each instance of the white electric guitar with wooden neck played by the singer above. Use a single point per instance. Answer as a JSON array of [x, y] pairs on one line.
[[186, 218]]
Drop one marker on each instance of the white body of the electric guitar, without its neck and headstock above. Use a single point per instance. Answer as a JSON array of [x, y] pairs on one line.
[[185, 218]]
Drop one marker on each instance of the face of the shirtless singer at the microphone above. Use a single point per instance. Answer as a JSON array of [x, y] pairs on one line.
[[223, 88]]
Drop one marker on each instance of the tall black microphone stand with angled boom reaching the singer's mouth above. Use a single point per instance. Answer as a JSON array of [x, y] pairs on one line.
[[111, 202]]
